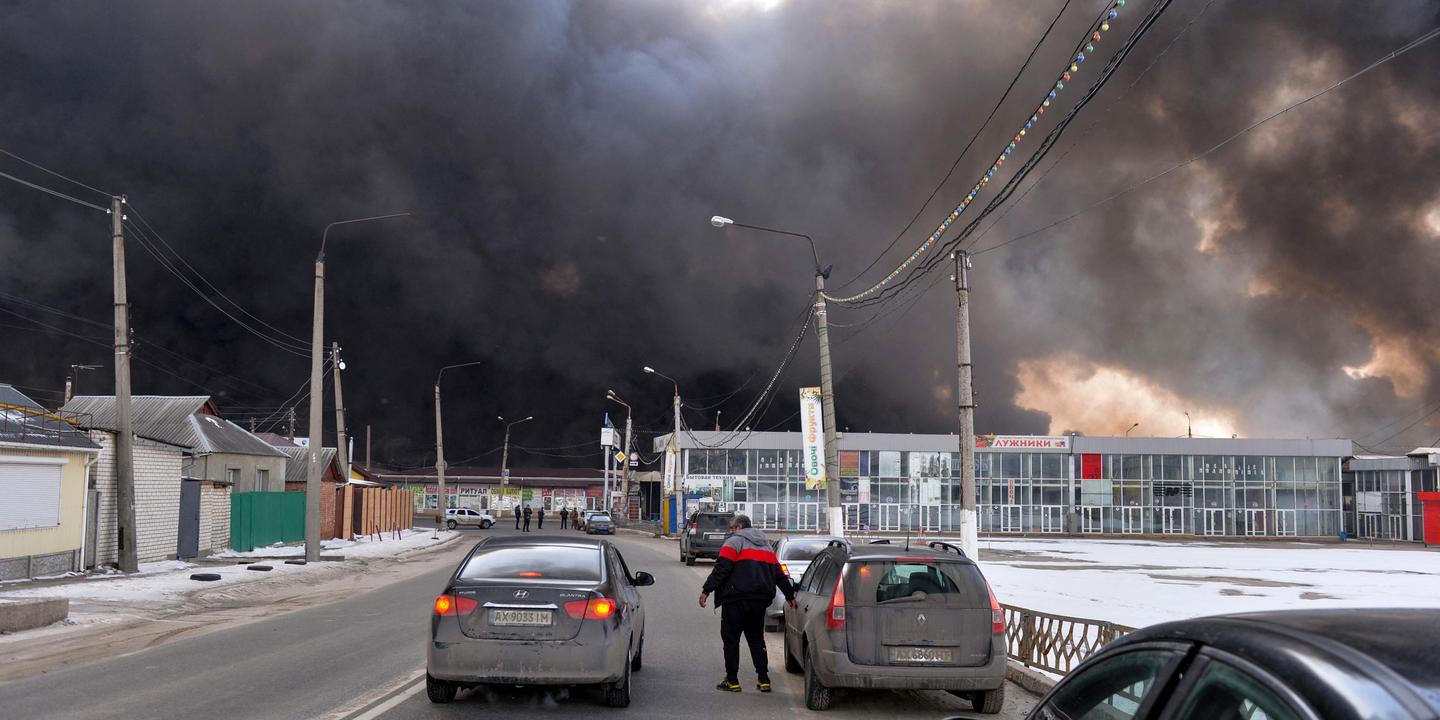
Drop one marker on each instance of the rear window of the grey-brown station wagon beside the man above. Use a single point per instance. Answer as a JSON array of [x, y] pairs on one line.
[[883, 581]]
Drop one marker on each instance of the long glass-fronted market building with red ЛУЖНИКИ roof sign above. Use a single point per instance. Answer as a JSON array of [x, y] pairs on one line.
[[1030, 485]]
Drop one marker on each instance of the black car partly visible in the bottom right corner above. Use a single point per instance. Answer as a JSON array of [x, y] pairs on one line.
[[1337, 665]]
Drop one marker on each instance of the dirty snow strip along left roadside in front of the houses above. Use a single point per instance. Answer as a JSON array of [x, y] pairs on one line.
[[171, 581]]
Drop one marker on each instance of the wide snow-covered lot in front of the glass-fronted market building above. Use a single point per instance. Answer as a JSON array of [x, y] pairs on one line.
[[1138, 582]]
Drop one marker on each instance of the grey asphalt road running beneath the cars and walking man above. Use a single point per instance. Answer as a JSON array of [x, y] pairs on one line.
[[364, 656]]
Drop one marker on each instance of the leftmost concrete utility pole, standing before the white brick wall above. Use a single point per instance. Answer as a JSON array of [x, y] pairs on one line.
[[125, 434]]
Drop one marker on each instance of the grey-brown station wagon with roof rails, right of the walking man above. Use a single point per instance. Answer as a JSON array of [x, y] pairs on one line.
[[896, 617]]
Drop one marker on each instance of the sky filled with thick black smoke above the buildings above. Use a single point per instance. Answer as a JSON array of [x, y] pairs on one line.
[[564, 159]]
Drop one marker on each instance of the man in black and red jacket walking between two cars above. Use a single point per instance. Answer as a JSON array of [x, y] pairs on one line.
[[745, 580]]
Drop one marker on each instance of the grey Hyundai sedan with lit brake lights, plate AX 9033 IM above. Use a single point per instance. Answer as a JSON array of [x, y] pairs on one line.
[[538, 611]]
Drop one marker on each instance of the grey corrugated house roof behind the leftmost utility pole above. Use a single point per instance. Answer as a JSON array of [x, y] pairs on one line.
[[188, 421]]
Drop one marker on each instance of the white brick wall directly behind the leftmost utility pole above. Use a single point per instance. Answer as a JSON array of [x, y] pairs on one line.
[[158, 500]]
